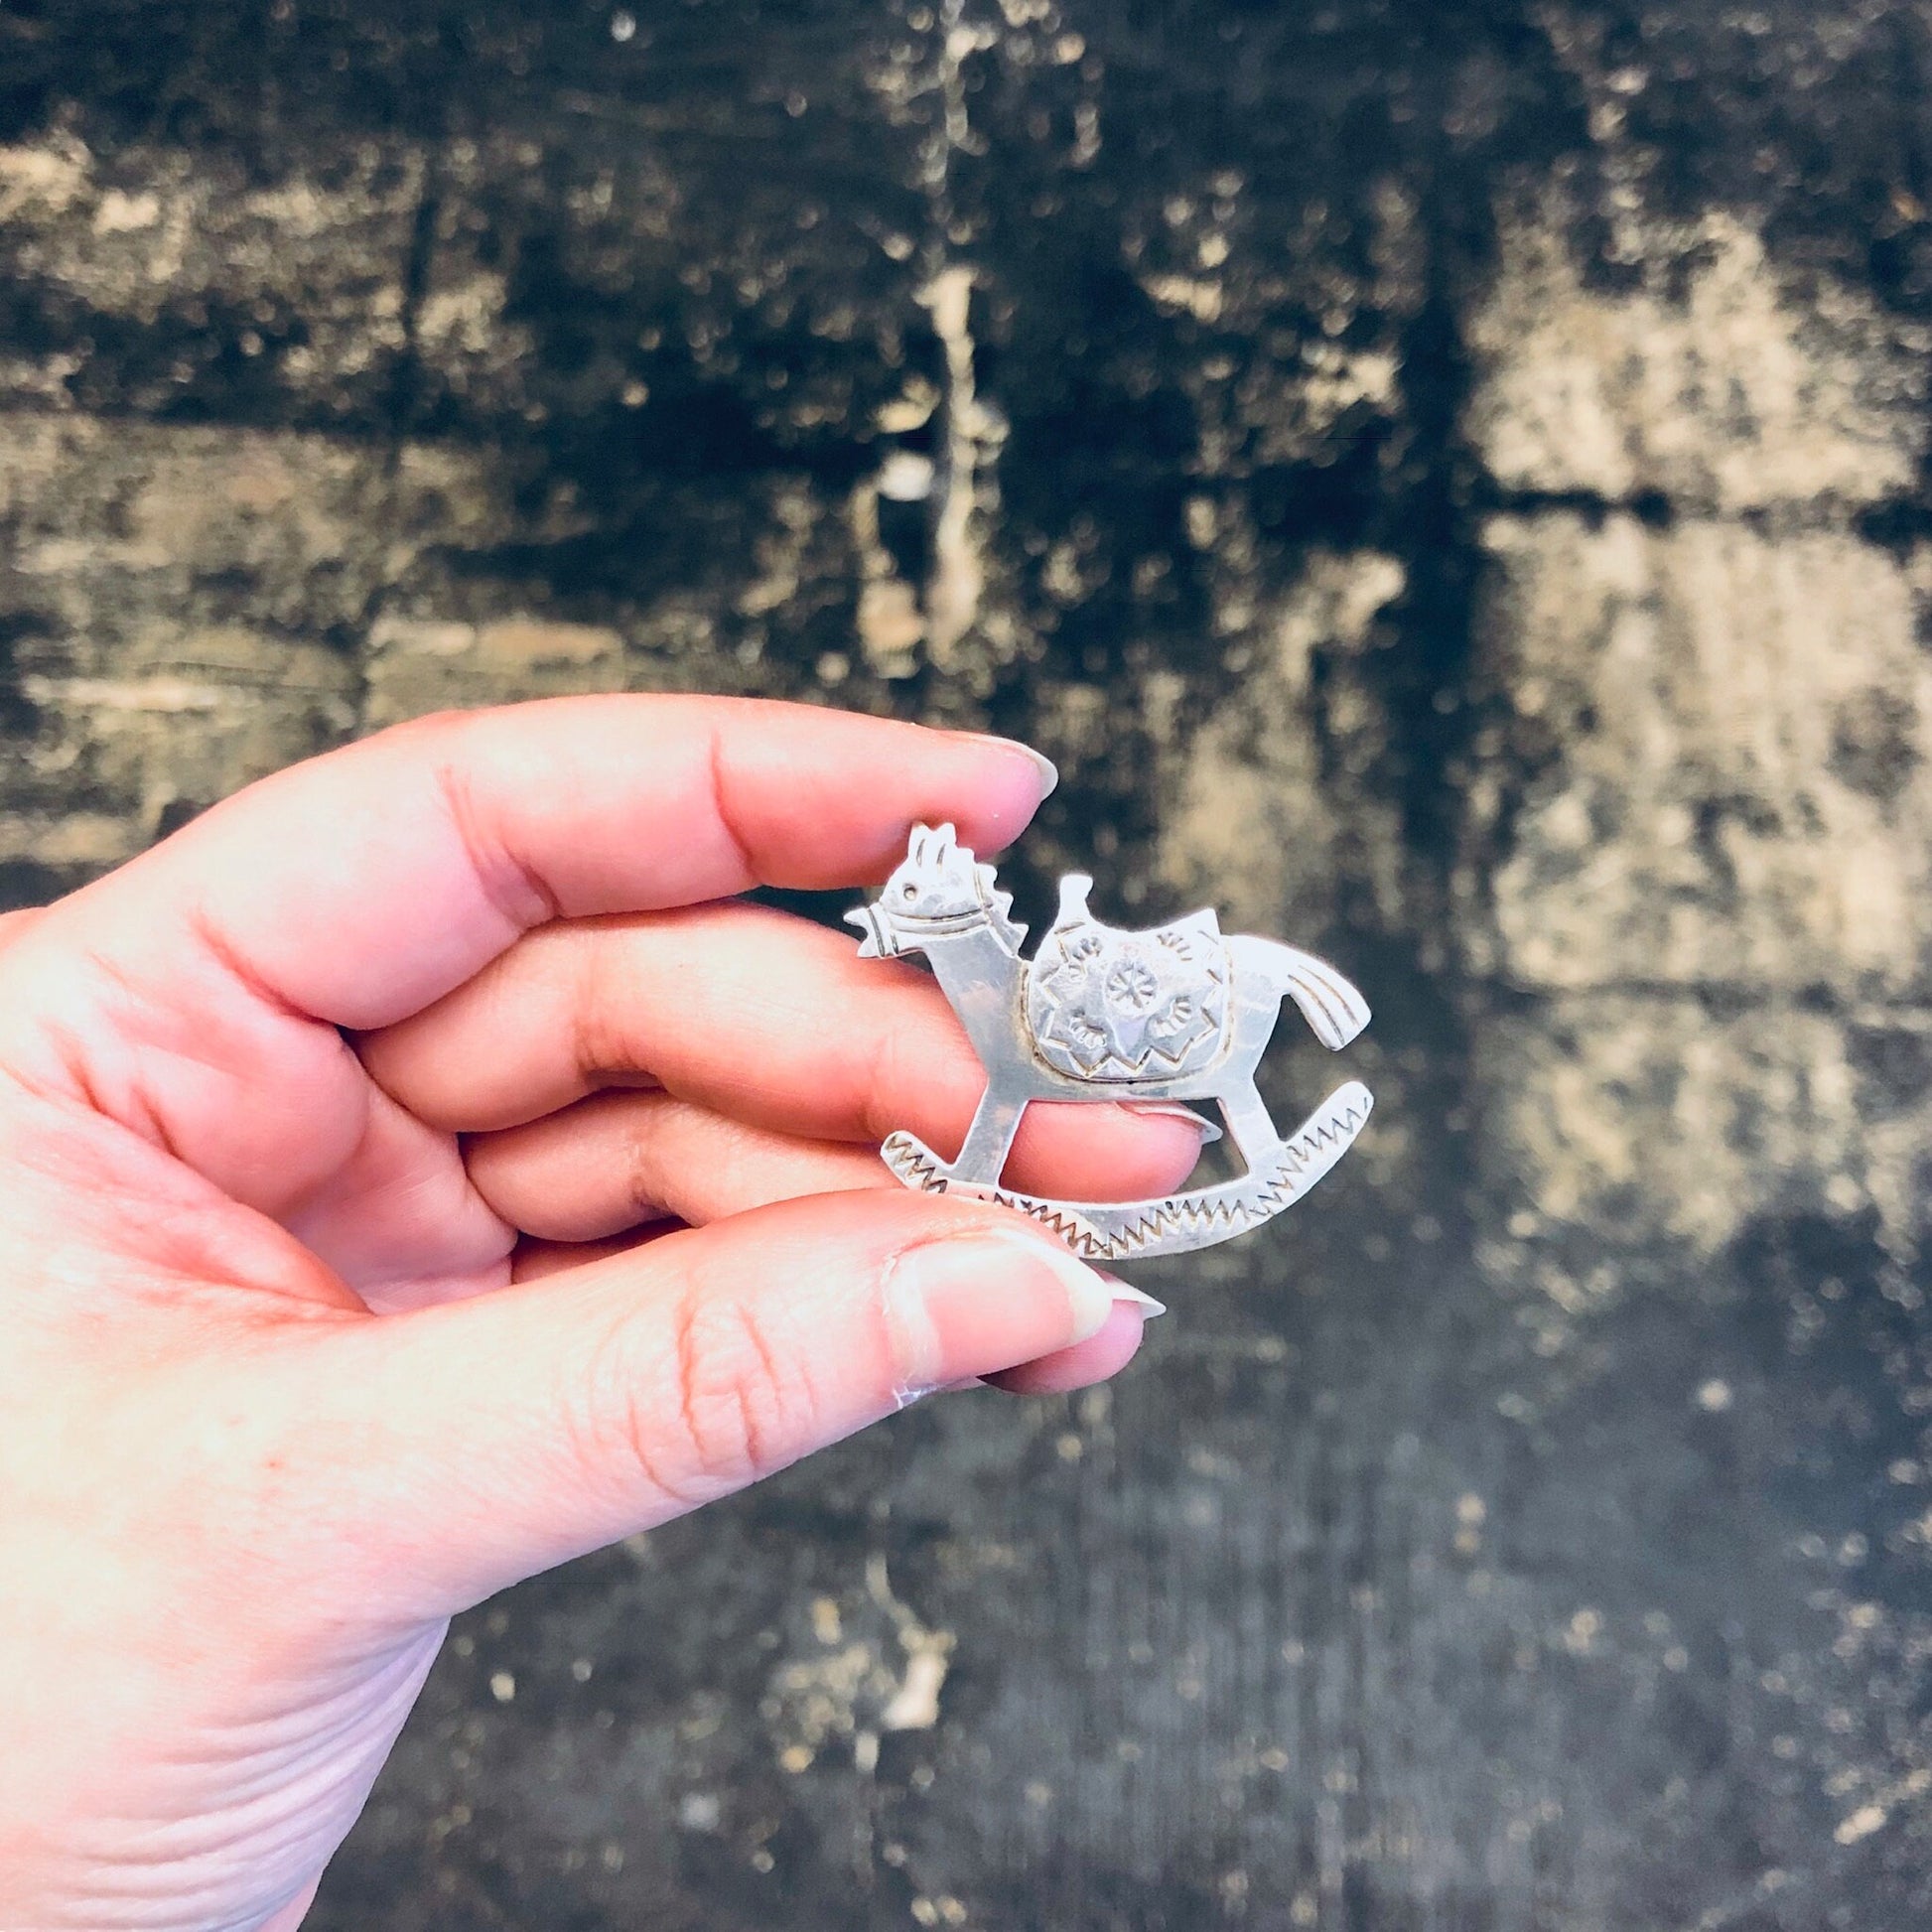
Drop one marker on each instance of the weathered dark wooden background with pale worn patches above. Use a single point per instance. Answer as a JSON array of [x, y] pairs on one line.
[[1448, 482]]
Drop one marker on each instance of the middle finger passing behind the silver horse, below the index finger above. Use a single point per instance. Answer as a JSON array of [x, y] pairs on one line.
[[758, 1015]]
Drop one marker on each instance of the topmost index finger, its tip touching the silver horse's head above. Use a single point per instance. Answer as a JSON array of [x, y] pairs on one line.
[[364, 886]]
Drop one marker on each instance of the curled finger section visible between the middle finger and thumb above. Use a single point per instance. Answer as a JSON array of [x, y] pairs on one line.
[[621, 1160]]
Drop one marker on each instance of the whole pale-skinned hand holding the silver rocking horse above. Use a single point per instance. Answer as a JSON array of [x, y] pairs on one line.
[[341, 1139]]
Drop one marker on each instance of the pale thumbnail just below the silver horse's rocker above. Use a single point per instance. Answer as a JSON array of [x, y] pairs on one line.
[[975, 1305]]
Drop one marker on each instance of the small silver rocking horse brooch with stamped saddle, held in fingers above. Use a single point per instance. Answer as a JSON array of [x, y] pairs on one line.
[[1104, 1015]]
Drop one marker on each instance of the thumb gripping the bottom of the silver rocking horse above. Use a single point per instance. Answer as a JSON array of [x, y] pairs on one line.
[[465, 1446]]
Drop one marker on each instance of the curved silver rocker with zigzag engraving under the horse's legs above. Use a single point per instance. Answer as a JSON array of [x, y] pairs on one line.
[[1118, 1232]]
